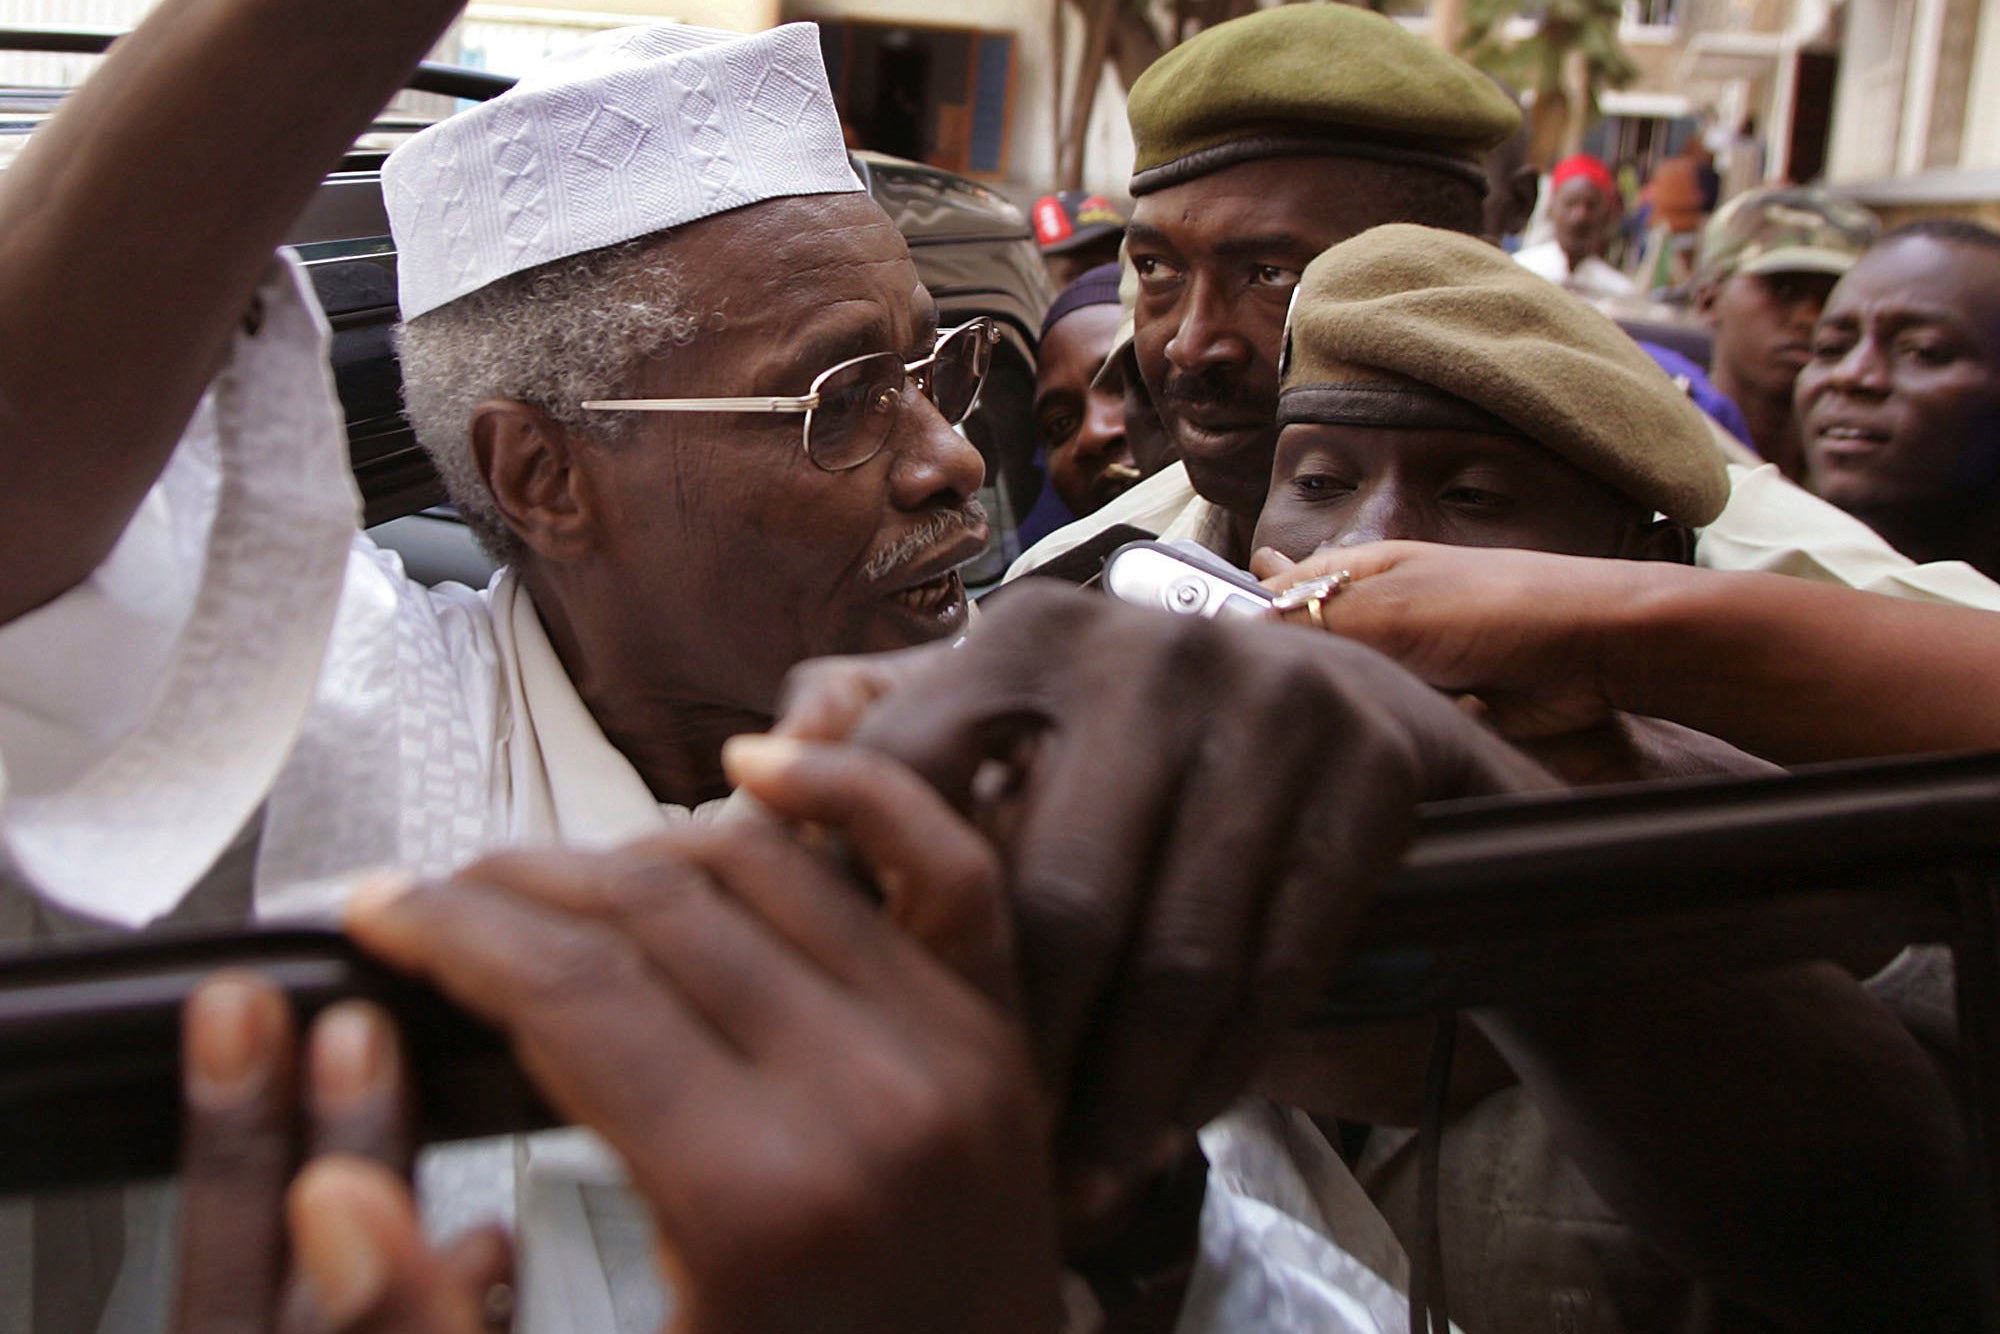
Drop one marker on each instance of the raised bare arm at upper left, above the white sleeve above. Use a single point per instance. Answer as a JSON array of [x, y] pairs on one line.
[[133, 231]]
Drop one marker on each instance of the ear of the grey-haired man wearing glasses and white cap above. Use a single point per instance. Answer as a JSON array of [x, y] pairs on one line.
[[529, 463]]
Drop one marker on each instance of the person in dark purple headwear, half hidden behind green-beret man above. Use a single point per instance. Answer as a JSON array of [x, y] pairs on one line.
[[1079, 415]]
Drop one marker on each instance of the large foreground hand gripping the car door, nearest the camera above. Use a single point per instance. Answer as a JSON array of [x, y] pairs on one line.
[[835, 1125]]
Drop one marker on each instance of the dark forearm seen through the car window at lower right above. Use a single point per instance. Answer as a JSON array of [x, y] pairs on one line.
[[1775, 1135]]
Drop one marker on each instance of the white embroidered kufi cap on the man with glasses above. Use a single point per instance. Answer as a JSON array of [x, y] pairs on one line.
[[625, 135]]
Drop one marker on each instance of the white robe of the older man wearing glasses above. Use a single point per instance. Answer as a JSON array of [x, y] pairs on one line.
[[249, 679]]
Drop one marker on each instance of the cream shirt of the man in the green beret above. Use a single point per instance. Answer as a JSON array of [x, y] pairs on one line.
[[1769, 525]]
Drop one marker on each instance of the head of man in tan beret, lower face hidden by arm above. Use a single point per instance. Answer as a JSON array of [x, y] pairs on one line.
[[1437, 393]]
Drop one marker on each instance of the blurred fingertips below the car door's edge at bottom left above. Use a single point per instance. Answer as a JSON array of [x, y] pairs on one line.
[[333, 1245]]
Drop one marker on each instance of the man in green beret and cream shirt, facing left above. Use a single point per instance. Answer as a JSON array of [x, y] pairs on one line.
[[1273, 137]]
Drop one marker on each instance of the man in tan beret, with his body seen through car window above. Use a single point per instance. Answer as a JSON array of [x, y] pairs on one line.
[[1435, 391]]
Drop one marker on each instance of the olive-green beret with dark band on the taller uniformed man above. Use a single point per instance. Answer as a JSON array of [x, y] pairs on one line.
[[1313, 79]]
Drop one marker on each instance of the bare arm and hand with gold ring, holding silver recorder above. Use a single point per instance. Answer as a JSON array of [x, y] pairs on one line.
[[1785, 669]]
